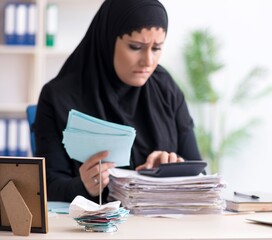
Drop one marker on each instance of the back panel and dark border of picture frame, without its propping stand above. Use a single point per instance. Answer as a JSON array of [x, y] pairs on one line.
[[28, 176]]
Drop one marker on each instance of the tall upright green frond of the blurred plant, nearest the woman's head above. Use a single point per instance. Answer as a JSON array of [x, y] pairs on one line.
[[200, 56]]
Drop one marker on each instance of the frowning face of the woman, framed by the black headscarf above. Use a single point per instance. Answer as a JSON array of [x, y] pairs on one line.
[[136, 56]]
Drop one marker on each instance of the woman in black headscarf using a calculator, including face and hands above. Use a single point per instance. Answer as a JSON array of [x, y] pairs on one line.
[[114, 75]]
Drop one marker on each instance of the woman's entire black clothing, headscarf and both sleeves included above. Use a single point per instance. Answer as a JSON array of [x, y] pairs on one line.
[[88, 83]]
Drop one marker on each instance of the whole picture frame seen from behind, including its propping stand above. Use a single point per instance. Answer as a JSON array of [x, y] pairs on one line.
[[23, 195]]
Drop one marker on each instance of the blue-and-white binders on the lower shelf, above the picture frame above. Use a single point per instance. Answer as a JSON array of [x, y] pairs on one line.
[[14, 137]]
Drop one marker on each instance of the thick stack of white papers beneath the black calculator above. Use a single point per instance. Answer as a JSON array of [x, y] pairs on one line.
[[144, 195]]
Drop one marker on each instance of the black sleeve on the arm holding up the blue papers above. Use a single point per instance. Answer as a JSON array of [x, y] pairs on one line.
[[62, 173]]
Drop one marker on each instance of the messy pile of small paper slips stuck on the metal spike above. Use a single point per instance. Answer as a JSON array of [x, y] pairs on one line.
[[97, 218]]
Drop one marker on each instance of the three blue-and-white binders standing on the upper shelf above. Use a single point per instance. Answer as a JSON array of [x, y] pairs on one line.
[[20, 23]]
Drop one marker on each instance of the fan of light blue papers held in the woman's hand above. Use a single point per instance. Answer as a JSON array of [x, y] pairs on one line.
[[85, 136]]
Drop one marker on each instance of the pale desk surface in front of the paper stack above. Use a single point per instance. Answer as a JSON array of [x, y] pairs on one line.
[[187, 227]]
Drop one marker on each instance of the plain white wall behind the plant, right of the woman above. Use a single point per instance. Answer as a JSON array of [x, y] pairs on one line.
[[243, 29]]
